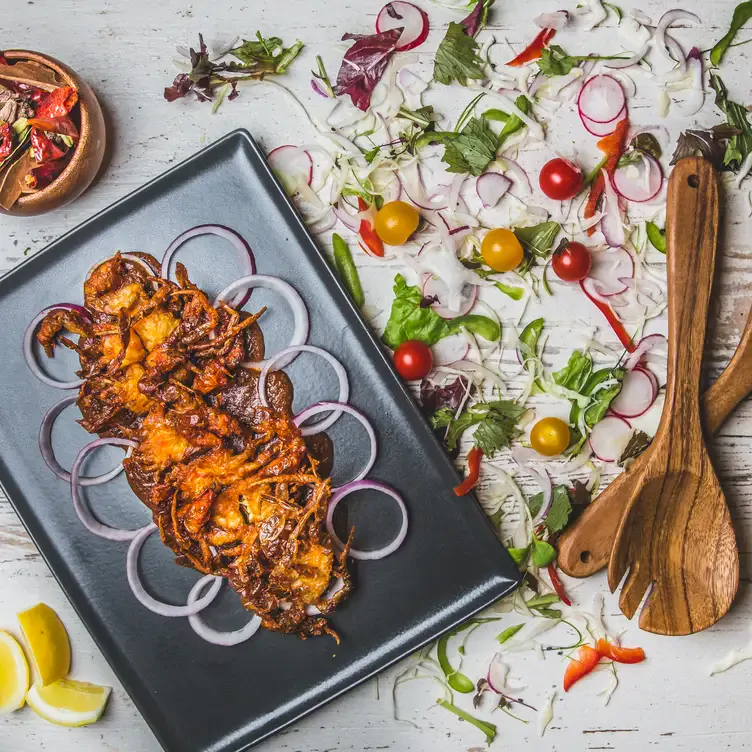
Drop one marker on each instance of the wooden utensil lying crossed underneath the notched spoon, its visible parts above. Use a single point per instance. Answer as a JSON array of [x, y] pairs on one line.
[[585, 547]]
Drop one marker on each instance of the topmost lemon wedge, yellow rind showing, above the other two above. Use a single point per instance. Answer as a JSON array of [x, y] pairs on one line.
[[47, 641]]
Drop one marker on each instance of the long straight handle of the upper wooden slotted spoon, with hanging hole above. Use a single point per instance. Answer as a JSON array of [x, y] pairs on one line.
[[691, 235]]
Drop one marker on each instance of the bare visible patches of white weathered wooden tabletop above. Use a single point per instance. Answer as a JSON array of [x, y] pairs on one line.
[[125, 50]]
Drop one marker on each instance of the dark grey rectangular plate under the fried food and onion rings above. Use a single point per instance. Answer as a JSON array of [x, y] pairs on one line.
[[195, 696]]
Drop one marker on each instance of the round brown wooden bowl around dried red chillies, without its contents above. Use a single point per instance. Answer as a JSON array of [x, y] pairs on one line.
[[89, 152]]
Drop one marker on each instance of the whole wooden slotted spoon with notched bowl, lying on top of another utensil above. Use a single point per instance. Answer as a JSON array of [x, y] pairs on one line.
[[676, 533]]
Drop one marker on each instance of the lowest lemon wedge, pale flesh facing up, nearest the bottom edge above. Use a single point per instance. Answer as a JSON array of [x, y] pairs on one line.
[[68, 702]]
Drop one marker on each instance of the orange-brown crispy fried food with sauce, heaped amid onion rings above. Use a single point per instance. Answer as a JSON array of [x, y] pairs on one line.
[[234, 488]]
